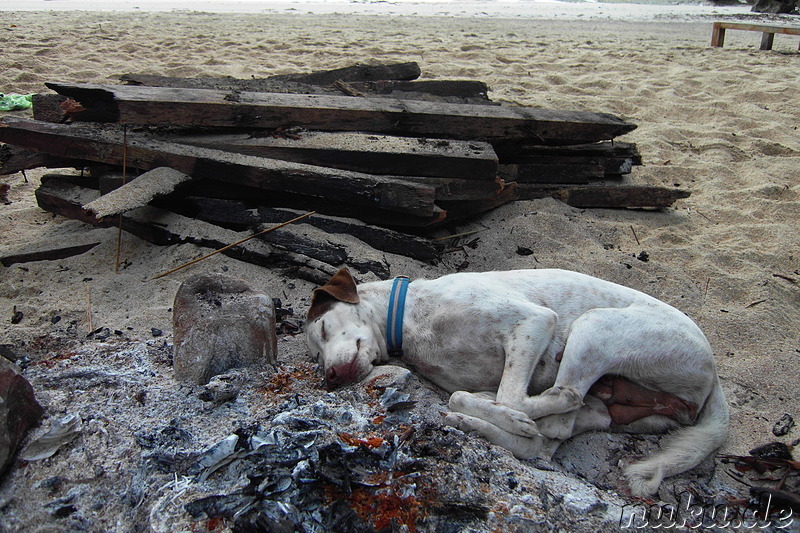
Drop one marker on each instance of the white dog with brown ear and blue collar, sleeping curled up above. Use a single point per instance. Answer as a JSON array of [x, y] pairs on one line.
[[533, 357]]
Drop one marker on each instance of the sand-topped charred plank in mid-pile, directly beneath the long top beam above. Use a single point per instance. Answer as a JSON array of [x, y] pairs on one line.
[[362, 152]]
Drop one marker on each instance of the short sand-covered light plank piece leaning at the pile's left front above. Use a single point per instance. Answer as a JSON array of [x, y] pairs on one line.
[[138, 192]]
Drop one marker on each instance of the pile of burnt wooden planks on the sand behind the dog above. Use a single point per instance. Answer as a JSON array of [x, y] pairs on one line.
[[379, 157]]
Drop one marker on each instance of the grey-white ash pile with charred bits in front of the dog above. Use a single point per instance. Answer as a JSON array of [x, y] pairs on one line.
[[138, 451]]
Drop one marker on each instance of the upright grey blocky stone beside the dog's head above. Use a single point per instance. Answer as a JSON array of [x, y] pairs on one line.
[[221, 323]]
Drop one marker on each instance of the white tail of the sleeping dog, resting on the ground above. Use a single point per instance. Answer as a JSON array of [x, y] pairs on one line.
[[684, 448]]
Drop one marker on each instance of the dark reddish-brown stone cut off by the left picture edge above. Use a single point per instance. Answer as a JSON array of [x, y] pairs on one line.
[[19, 411]]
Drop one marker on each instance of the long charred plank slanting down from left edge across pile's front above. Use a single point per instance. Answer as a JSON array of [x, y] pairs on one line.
[[142, 152]]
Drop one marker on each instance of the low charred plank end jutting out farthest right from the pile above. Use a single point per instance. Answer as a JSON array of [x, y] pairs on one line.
[[606, 196]]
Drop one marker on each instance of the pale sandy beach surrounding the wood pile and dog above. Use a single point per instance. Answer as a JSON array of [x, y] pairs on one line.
[[721, 122]]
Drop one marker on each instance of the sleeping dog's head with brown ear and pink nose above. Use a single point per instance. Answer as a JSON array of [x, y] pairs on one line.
[[339, 334]]
